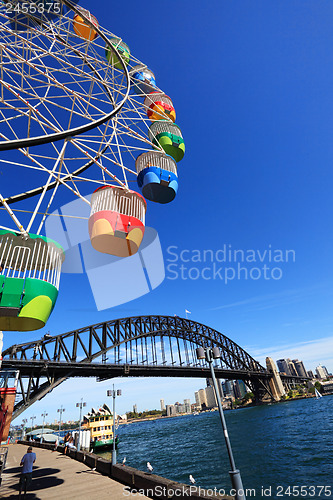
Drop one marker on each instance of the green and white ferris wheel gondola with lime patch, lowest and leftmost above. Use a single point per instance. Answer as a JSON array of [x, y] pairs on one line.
[[30, 268]]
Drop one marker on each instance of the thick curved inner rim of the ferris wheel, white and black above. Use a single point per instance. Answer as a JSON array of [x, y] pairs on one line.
[[45, 139]]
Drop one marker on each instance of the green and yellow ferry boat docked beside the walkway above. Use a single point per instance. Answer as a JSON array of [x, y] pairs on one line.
[[100, 424]]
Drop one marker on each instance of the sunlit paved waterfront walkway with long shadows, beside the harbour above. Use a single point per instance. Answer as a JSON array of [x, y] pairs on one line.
[[57, 476]]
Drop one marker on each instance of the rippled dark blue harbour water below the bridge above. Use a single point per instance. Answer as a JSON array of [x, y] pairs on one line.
[[276, 447]]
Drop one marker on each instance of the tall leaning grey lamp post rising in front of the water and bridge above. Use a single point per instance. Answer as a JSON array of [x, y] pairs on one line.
[[210, 354]]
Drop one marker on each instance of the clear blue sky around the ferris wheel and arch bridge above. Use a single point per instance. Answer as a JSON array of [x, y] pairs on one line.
[[252, 86]]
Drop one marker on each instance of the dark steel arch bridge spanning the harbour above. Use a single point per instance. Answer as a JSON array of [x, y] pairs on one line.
[[159, 346]]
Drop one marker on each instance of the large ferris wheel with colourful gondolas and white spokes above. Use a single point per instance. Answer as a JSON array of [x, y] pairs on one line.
[[79, 114]]
